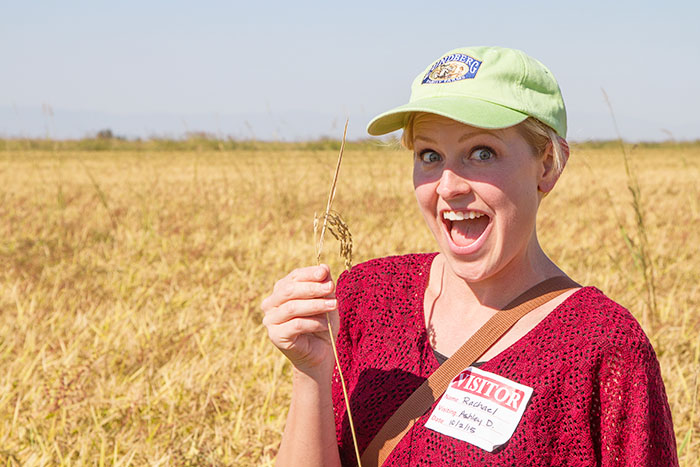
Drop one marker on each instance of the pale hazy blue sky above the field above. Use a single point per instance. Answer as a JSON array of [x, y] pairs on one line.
[[295, 70]]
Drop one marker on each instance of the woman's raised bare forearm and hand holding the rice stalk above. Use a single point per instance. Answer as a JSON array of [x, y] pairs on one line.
[[295, 317]]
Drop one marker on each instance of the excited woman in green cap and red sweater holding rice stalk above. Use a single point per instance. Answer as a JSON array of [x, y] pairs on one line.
[[487, 128]]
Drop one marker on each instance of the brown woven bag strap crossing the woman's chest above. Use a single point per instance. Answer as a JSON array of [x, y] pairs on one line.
[[425, 396]]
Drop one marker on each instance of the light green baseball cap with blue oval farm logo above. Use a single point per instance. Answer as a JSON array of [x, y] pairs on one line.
[[486, 87]]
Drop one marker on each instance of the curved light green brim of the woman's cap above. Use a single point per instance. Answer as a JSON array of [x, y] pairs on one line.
[[467, 110]]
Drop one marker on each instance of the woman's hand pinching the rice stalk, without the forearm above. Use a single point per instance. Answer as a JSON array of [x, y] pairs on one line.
[[295, 317]]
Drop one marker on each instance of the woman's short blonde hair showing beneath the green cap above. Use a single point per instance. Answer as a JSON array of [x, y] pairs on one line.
[[536, 133]]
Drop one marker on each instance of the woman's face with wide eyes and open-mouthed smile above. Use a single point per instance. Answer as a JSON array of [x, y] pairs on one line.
[[478, 192]]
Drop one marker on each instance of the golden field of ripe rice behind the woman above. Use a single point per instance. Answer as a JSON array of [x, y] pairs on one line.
[[132, 273]]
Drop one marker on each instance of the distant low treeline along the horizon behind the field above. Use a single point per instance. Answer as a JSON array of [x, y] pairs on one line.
[[206, 143]]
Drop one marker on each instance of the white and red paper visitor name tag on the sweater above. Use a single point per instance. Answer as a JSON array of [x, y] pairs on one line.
[[480, 408]]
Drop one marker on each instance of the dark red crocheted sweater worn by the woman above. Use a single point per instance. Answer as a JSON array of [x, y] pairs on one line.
[[598, 397]]
